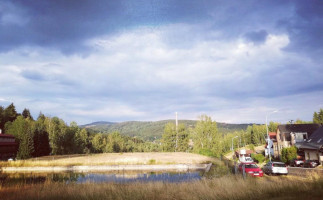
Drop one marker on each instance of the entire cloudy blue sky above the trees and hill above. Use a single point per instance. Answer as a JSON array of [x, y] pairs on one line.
[[144, 60]]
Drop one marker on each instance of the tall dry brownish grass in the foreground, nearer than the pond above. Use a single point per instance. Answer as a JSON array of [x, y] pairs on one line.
[[226, 187]]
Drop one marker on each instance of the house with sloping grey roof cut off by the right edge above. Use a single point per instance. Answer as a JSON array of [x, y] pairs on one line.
[[313, 147]]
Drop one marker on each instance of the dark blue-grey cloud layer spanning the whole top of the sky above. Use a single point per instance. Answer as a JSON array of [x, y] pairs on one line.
[[67, 25]]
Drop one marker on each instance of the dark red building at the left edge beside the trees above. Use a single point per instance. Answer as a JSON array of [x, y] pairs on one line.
[[8, 146]]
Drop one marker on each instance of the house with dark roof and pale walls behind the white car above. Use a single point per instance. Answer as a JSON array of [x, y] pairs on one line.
[[292, 135]]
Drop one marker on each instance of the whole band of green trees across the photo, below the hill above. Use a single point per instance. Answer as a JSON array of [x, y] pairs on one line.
[[52, 136]]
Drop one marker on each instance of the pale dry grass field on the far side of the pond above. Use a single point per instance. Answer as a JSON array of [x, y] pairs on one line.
[[111, 159]]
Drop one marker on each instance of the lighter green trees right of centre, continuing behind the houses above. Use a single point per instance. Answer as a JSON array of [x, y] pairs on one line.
[[205, 138]]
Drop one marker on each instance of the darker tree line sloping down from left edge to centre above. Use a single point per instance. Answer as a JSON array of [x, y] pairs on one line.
[[52, 136]]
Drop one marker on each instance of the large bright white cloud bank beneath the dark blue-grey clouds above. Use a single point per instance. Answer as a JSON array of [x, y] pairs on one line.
[[138, 75]]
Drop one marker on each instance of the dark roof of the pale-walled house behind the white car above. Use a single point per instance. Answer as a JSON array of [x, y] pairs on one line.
[[288, 128]]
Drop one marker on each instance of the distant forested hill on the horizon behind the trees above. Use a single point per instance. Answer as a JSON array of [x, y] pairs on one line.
[[151, 130]]
